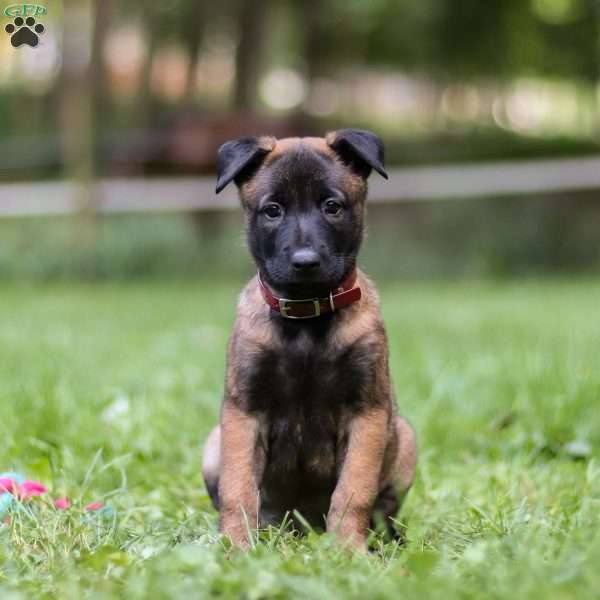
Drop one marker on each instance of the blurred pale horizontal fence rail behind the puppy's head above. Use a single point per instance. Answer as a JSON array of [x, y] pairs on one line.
[[183, 194]]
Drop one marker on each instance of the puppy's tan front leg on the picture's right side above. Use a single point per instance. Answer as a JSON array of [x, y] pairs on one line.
[[357, 487]]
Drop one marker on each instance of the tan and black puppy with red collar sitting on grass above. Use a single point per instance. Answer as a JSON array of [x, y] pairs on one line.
[[309, 420]]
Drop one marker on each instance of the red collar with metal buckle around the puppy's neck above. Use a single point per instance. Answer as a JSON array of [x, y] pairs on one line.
[[308, 308]]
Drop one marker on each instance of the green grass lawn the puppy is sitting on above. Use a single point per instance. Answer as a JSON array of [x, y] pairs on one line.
[[107, 393]]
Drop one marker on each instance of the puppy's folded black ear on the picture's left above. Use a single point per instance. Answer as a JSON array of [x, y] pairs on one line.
[[237, 157]]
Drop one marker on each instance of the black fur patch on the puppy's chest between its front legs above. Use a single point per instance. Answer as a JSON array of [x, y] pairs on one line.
[[306, 394]]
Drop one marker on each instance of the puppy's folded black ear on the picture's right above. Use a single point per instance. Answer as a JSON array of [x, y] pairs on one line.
[[360, 149]]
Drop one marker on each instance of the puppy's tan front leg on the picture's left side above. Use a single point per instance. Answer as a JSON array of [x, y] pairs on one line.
[[240, 470]]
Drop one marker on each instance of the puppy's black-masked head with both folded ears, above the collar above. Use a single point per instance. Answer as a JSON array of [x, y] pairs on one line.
[[304, 203]]
